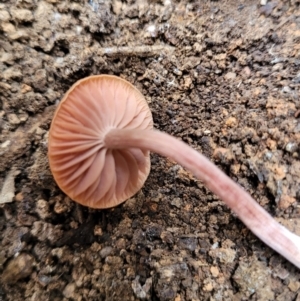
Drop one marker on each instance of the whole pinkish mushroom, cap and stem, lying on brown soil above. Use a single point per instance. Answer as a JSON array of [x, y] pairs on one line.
[[99, 144]]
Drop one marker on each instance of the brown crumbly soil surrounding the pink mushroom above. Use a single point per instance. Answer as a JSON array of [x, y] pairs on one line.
[[223, 76]]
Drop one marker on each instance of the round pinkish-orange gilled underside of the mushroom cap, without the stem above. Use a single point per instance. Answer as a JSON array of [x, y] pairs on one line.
[[83, 167]]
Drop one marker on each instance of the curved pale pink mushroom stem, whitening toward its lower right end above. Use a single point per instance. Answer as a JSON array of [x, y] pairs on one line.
[[259, 221]]
